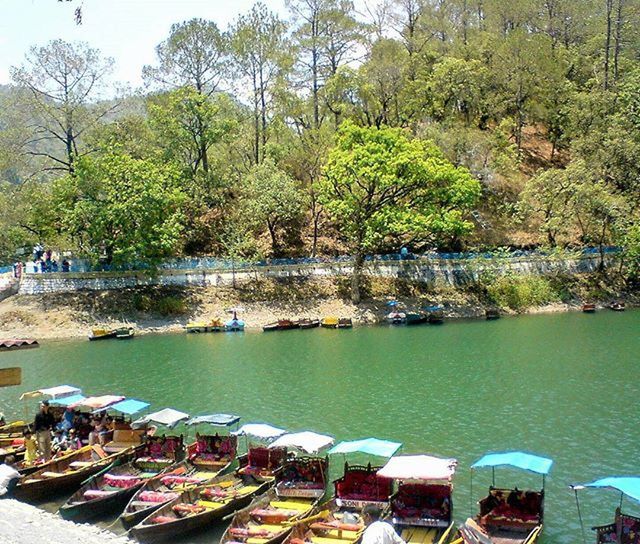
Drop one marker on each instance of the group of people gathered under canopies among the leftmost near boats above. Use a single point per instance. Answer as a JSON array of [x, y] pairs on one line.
[[50, 435]]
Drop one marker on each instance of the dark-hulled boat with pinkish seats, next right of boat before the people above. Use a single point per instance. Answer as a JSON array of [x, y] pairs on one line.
[[109, 490]]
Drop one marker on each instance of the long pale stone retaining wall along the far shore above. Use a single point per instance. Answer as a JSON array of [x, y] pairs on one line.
[[454, 273]]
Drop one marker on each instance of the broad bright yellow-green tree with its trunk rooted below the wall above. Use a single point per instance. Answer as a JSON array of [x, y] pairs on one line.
[[379, 183]]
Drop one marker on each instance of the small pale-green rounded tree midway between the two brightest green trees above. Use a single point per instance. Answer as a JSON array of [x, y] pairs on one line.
[[272, 199]]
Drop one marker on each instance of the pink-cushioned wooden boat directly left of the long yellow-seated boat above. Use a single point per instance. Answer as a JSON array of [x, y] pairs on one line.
[[194, 471]]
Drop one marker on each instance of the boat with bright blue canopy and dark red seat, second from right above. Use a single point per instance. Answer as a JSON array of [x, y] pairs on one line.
[[508, 516]]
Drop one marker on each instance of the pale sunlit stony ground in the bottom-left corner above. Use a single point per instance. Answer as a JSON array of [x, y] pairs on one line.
[[21, 523]]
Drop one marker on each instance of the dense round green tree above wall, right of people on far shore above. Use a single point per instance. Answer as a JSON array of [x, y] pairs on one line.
[[120, 209]]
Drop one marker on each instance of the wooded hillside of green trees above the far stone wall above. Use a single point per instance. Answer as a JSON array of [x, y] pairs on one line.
[[442, 124]]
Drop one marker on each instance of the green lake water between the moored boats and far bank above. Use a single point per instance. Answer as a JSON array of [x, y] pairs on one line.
[[565, 386]]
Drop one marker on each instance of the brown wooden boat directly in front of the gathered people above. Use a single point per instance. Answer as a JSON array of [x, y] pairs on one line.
[[64, 474]]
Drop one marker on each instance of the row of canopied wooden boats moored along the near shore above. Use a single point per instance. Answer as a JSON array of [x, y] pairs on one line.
[[164, 486]]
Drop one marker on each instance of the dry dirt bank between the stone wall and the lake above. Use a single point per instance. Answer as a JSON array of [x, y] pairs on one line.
[[152, 310]]
